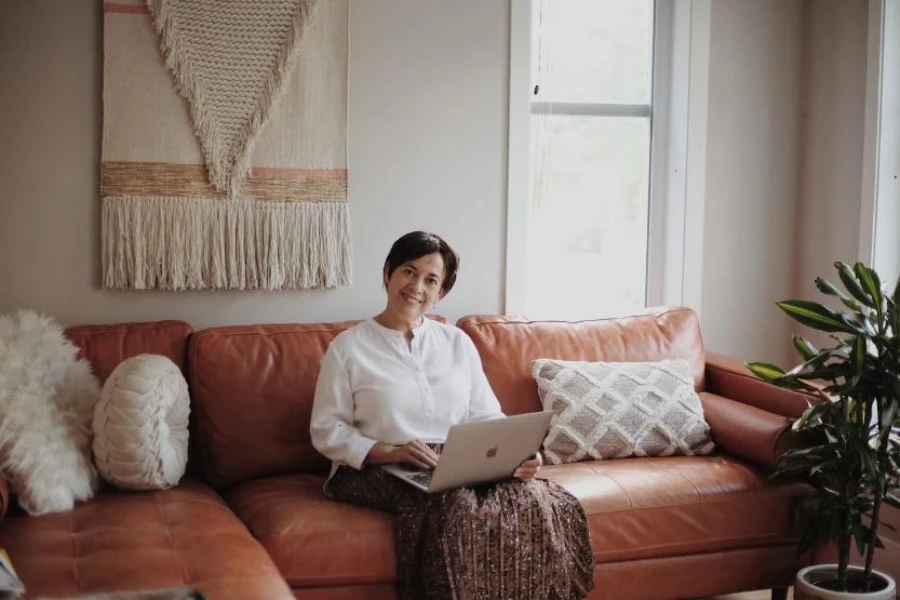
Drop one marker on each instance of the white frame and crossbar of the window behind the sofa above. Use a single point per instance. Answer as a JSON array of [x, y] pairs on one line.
[[668, 223]]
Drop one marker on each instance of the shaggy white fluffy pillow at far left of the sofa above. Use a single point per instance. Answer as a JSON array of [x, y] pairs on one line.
[[47, 398]]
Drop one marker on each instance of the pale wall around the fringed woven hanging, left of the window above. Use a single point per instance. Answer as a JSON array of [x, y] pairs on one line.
[[428, 114]]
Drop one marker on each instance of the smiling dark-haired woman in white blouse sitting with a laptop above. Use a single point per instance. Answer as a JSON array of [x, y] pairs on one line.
[[388, 391]]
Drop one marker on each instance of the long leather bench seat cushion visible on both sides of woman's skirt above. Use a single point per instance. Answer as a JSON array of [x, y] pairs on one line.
[[637, 508]]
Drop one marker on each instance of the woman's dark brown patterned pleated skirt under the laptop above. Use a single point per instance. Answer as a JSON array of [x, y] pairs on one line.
[[505, 540]]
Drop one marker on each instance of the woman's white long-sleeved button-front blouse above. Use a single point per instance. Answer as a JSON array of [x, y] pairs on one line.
[[373, 387]]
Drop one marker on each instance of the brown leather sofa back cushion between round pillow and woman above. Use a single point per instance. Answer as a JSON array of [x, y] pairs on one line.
[[252, 391]]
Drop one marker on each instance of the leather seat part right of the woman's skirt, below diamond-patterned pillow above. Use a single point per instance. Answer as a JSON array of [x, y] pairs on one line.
[[641, 508]]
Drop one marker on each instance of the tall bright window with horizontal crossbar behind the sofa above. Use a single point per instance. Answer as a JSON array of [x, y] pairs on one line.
[[585, 200]]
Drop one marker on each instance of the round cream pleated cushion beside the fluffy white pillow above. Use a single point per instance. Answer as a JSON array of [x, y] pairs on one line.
[[141, 424]]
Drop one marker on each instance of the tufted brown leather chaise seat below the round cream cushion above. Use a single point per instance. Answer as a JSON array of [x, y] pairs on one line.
[[186, 536]]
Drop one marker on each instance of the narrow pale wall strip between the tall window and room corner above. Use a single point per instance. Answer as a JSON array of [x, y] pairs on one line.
[[751, 175]]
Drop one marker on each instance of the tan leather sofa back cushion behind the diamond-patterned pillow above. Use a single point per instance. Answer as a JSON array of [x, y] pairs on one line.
[[508, 345]]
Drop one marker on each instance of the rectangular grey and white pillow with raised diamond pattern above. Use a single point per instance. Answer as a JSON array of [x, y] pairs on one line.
[[619, 409]]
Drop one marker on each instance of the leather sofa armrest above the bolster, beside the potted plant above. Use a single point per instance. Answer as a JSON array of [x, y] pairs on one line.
[[729, 377]]
